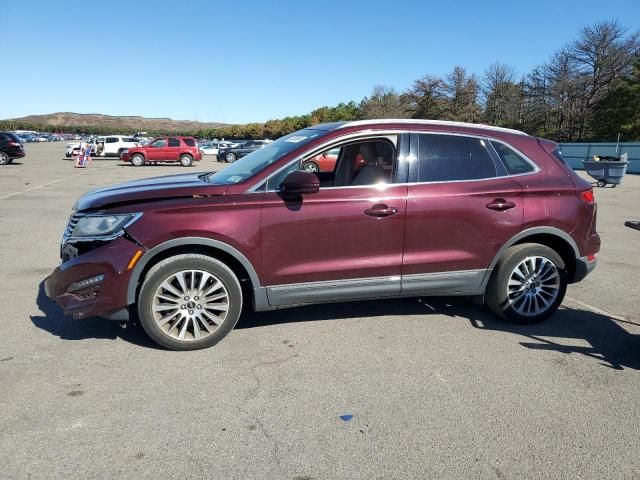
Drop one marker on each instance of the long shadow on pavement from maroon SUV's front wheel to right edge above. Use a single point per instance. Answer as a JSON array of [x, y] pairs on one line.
[[568, 331]]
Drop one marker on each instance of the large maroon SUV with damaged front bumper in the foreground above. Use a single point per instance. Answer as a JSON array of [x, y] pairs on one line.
[[435, 208]]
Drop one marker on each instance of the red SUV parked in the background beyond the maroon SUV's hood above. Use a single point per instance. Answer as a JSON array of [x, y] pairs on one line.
[[165, 149]]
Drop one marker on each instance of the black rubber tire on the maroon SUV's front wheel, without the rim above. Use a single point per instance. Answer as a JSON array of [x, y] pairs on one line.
[[159, 274]]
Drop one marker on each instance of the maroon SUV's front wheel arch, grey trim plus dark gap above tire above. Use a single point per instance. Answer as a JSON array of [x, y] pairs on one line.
[[239, 264]]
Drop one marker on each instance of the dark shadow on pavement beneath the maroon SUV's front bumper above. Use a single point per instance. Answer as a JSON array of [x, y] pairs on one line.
[[56, 323]]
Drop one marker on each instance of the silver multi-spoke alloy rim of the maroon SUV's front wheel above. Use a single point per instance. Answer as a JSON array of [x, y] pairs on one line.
[[190, 305]]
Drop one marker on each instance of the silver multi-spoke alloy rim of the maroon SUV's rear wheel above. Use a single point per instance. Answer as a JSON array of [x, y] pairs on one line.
[[533, 286]]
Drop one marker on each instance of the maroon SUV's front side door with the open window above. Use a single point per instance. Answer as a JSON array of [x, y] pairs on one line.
[[345, 241]]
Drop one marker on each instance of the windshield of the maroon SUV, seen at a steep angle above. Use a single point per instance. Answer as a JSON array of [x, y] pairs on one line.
[[260, 159]]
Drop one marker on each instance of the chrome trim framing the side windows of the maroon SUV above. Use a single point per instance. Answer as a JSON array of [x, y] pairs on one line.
[[381, 133]]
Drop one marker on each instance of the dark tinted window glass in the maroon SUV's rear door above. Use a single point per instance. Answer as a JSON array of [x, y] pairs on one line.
[[445, 158]]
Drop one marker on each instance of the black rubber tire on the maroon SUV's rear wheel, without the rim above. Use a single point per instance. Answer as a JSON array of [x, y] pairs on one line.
[[498, 300]]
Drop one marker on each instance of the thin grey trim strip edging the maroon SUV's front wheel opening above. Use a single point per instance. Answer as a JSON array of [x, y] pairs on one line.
[[179, 242]]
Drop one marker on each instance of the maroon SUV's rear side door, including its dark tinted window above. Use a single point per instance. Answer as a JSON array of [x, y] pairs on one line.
[[462, 207]]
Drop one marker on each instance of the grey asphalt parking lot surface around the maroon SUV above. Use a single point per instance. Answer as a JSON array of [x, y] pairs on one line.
[[438, 388]]
